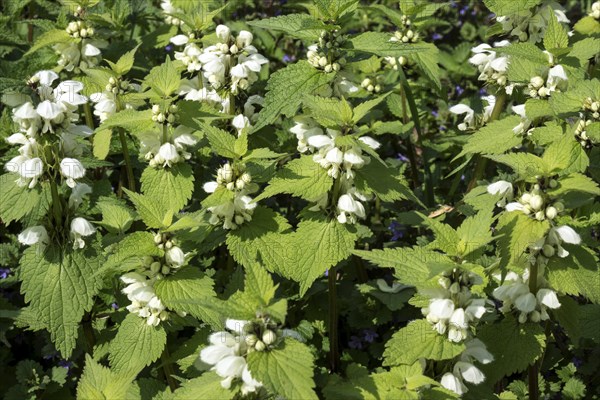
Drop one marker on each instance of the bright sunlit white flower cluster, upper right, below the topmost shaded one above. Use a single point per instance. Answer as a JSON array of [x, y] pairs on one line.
[[492, 68]]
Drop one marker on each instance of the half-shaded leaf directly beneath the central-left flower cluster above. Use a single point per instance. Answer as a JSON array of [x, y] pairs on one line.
[[256, 236]]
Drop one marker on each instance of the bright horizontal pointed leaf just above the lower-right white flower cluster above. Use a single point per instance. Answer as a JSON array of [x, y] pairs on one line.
[[412, 266]]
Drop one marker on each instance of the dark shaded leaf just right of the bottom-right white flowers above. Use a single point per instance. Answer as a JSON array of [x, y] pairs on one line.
[[525, 341]]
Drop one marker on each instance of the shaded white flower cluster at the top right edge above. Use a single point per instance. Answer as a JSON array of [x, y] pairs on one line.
[[527, 26]]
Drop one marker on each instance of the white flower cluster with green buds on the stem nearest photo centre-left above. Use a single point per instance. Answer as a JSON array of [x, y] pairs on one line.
[[237, 209]]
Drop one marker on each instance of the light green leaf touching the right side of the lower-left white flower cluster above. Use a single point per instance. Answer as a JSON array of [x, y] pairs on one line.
[[189, 283]]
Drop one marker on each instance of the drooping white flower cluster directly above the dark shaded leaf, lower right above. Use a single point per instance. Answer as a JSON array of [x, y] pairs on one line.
[[515, 295]]
